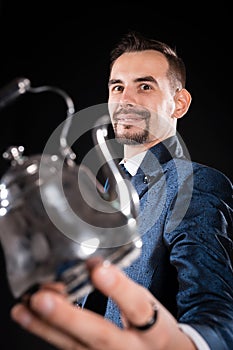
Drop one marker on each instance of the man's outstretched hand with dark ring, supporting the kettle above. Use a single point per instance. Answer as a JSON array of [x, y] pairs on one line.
[[52, 317]]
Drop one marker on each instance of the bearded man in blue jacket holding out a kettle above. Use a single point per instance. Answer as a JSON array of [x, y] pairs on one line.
[[179, 293]]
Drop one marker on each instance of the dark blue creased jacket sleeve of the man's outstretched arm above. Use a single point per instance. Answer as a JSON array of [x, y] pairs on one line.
[[201, 249]]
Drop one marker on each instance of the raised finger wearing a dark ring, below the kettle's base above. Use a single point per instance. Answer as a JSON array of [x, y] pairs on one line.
[[136, 305]]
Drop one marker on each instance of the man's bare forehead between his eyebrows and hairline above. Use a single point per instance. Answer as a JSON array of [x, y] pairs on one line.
[[140, 63]]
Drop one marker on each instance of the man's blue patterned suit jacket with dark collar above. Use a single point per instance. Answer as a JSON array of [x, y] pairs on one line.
[[187, 256]]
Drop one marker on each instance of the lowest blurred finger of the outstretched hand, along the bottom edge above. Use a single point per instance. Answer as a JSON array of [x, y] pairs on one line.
[[35, 325]]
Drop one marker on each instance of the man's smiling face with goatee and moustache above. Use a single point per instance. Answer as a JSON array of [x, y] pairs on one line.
[[141, 102]]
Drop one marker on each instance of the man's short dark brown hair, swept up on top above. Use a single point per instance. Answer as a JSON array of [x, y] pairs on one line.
[[134, 41]]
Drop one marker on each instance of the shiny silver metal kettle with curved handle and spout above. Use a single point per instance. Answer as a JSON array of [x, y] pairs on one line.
[[55, 216]]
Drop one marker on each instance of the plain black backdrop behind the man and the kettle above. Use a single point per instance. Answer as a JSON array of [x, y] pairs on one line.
[[66, 44]]
